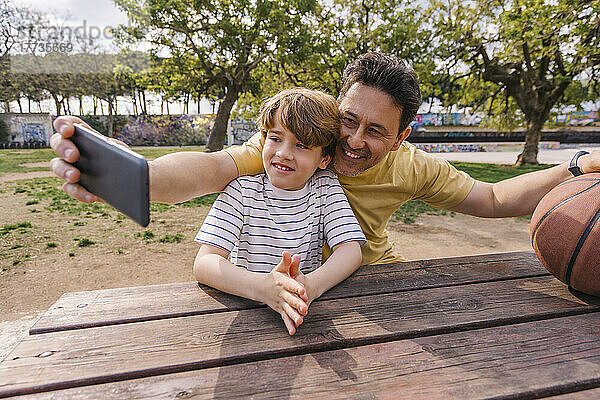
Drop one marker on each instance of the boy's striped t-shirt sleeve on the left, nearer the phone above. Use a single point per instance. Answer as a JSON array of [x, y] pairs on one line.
[[223, 224]]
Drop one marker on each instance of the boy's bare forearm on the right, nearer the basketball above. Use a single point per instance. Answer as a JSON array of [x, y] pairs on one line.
[[344, 260]]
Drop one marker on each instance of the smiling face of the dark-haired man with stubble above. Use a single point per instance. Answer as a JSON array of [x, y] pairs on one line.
[[369, 129]]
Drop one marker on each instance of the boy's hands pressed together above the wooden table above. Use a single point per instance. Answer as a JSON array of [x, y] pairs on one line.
[[287, 293]]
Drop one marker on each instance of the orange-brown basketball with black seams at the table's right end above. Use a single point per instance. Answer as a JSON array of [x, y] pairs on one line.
[[565, 232]]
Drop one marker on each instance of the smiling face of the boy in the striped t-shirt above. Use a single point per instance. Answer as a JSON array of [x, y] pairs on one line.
[[288, 162]]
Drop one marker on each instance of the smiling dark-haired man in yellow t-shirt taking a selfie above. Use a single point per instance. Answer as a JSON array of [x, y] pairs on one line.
[[378, 170]]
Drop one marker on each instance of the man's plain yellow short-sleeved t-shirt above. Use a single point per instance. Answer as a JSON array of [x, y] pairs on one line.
[[374, 195]]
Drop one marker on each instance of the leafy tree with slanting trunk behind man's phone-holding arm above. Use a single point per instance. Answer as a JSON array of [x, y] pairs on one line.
[[225, 39]]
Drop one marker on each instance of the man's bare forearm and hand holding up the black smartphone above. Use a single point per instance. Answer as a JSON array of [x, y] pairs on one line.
[[174, 178]]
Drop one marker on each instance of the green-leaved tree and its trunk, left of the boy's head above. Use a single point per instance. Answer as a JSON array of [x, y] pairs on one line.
[[216, 46]]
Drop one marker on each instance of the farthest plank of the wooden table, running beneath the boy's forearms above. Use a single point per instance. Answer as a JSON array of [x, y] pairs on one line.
[[115, 306]]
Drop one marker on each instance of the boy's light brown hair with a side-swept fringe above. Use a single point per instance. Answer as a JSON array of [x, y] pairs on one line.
[[312, 116]]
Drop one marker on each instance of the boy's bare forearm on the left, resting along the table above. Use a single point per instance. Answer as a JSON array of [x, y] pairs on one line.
[[215, 271]]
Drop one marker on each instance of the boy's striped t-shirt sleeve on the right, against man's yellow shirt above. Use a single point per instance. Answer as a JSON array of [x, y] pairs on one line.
[[340, 224]]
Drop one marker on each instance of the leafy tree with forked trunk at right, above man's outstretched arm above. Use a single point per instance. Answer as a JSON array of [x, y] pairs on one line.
[[531, 50]]
